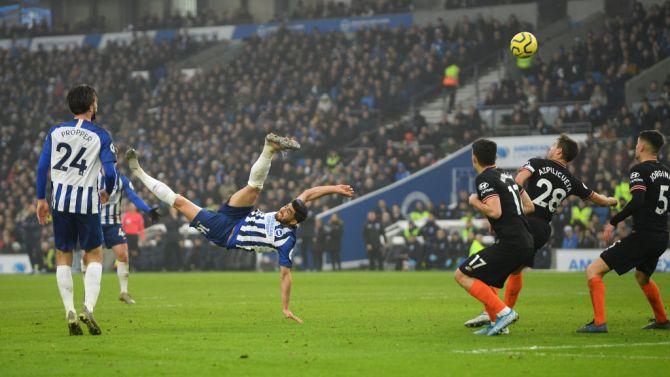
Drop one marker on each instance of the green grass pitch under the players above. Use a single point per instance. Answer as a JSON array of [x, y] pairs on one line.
[[356, 324]]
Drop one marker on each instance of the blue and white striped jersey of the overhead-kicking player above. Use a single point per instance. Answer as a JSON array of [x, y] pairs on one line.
[[262, 233]]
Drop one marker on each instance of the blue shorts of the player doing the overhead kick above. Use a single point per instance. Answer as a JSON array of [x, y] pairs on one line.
[[216, 226]]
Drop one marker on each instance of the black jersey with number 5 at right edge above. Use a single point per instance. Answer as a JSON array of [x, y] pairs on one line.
[[654, 178]]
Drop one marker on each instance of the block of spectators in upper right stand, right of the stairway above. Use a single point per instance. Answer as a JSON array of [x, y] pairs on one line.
[[595, 68]]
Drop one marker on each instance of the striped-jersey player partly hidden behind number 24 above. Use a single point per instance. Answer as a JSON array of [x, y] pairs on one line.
[[113, 235]]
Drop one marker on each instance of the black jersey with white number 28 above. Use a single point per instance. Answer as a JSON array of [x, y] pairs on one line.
[[551, 182]]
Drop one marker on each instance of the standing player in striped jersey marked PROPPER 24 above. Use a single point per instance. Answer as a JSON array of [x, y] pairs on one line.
[[74, 152]]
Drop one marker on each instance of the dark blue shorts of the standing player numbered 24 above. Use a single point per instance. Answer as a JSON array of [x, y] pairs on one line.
[[72, 229]]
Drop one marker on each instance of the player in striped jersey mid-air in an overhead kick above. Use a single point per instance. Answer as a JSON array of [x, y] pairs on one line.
[[236, 225]]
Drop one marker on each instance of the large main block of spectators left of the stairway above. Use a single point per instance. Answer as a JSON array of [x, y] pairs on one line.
[[291, 88]]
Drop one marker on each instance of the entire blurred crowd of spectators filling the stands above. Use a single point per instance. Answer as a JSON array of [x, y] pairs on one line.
[[343, 96]]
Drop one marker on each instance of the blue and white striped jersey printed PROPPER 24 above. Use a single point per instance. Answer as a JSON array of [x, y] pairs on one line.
[[77, 149]]
